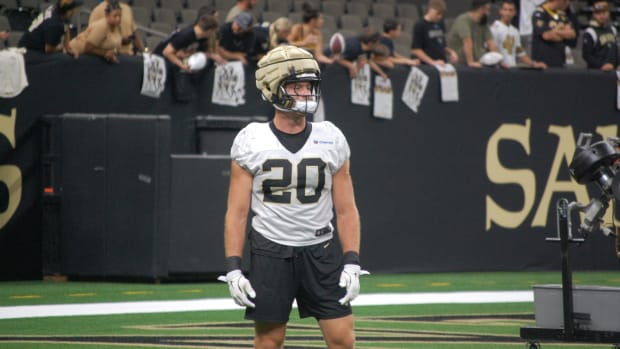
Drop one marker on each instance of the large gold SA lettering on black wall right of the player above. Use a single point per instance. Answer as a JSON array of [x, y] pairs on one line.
[[525, 178]]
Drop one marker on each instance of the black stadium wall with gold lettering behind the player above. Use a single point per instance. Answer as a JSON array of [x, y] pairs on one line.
[[458, 186]]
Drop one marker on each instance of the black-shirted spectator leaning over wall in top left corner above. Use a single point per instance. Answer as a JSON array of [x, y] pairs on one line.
[[50, 28]]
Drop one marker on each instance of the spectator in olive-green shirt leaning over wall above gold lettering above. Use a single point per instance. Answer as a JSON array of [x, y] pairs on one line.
[[470, 36]]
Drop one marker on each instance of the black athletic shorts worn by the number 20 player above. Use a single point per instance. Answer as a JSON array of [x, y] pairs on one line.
[[280, 274]]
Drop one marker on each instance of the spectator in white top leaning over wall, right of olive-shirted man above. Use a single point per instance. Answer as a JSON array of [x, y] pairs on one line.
[[508, 38]]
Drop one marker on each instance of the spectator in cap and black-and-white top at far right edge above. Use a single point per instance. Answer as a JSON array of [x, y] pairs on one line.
[[600, 47]]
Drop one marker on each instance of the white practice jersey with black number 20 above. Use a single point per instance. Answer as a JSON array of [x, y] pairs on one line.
[[292, 192]]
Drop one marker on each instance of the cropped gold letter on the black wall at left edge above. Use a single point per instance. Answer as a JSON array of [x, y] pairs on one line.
[[10, 175]]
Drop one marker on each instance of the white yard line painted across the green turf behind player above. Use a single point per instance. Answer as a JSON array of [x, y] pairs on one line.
[[31, 311]]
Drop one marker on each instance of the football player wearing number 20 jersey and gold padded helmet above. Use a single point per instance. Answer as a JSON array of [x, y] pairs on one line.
[[292, 173]]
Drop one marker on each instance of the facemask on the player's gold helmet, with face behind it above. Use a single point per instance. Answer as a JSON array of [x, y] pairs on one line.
[[299, 100]]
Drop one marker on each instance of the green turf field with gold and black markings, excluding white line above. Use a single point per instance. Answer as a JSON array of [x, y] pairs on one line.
[[441, 326]]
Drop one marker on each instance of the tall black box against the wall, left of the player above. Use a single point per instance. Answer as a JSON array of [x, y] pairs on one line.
[[112, 175]]
